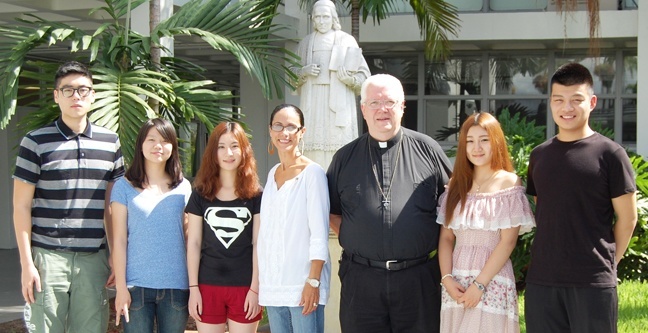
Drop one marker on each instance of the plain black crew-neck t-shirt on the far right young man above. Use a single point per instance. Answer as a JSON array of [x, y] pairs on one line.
[[574, 183]]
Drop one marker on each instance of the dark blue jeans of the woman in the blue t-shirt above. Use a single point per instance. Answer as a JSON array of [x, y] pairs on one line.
[[166, 308]]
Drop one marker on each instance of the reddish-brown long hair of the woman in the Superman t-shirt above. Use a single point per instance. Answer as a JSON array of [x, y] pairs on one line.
[[207, 181]]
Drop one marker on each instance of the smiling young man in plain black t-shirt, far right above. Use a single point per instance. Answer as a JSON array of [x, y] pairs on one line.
[[580, 180]]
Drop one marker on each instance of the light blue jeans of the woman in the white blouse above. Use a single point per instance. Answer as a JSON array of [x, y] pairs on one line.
[[289, 319]]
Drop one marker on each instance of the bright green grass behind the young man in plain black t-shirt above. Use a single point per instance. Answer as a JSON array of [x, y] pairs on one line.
[[633, 308]]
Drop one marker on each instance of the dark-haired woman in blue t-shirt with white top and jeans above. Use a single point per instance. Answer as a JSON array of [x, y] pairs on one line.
[[149, 226]]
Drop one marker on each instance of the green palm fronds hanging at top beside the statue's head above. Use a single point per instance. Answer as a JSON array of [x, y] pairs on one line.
[[437, 20]]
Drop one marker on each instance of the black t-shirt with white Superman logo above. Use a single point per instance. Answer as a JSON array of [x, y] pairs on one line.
[[226, 251]]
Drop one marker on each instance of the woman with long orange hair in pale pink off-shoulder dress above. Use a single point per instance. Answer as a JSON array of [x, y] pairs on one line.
[[482, 213]]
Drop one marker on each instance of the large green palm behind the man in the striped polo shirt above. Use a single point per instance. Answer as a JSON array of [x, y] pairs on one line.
[[126, 76]]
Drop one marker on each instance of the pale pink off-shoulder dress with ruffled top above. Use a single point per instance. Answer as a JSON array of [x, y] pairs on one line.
[[477, 231]]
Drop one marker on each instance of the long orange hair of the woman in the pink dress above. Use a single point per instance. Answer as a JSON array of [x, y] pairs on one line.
[[462, 174]]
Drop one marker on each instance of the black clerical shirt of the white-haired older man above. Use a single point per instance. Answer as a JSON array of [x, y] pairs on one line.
[[406, 227]]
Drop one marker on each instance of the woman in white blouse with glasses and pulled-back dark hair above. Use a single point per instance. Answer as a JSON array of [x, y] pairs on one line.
[[294, 262]]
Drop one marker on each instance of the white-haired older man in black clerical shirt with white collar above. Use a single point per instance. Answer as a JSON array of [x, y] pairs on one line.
[[383, 190]]
